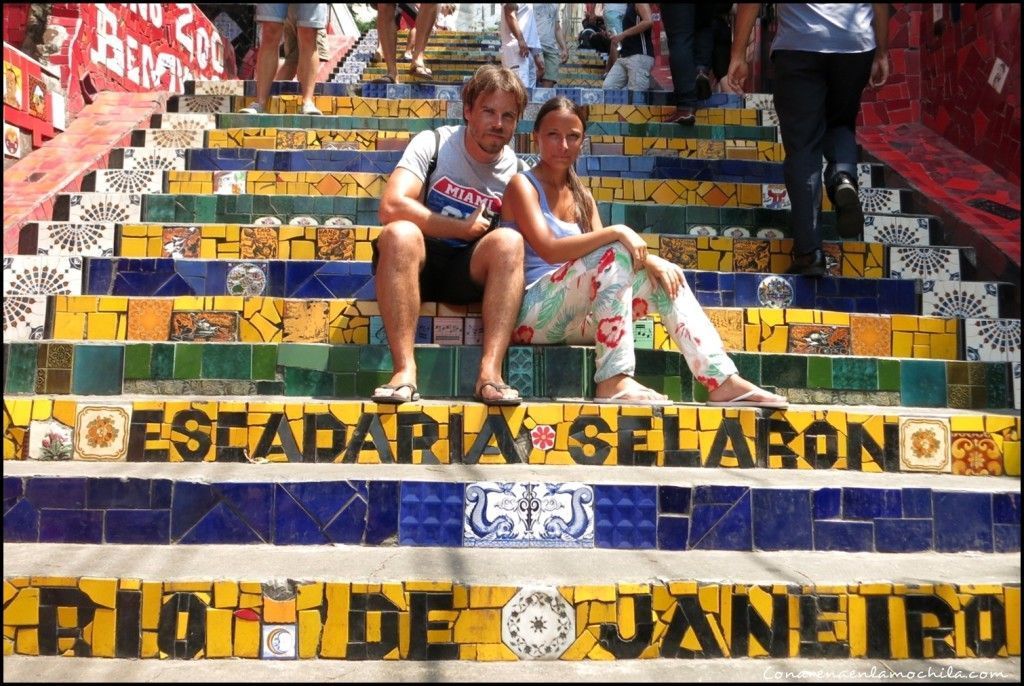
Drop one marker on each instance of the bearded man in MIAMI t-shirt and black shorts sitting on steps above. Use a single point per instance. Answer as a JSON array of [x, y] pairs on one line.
[[441, 240]]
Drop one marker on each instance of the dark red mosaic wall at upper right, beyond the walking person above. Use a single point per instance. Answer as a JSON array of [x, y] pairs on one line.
[[958, 60]]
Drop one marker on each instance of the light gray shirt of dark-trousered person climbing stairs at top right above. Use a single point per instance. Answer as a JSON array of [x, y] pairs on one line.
[[835, 27]]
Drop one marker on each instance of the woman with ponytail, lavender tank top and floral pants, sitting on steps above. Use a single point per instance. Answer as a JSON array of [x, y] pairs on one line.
[[586, 283]]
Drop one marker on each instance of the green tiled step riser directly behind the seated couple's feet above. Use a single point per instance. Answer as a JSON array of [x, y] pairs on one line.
[[308, 370]]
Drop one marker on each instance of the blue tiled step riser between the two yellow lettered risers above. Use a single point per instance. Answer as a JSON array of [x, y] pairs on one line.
[[491, 514]]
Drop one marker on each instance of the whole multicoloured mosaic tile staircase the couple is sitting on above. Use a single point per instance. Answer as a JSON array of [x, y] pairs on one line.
[[156, 322]]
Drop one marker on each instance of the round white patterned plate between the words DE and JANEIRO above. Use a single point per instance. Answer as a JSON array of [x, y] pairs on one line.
[[538, 624]]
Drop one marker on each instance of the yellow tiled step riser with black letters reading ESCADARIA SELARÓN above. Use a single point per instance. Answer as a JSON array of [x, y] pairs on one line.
[[242, 431]]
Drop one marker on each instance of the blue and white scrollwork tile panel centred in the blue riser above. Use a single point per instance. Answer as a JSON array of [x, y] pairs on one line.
[[529, 516]]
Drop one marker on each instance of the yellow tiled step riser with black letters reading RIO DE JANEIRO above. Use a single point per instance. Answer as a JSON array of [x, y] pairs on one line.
[[332, 619]]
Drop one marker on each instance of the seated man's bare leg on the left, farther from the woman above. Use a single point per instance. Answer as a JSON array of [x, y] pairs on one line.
[[403, 254]]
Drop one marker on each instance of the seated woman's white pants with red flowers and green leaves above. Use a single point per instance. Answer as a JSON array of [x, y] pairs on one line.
[[594, 299]]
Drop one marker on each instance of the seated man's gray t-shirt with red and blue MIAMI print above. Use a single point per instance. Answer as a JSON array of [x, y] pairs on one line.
[[459, 185]]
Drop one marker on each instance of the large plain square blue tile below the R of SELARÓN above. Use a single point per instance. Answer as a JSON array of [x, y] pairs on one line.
[[782, 520]]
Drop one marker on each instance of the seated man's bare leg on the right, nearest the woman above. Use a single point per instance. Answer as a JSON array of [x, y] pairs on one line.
[[498, 265]]
